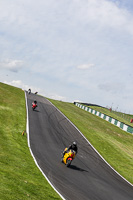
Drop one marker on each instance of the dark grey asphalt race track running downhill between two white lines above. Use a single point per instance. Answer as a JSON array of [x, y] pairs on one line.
[[89, 177]]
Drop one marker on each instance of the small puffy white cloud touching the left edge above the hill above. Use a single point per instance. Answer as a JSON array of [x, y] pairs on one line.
[[12, 65]]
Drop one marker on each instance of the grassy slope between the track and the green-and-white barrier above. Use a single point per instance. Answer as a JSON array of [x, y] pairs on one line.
[[114, 144]]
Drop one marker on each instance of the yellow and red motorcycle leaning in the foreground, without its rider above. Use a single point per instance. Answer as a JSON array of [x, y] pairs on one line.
[[68, 157]]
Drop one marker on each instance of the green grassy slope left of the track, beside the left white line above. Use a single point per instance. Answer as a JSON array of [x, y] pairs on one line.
[[20, 179]]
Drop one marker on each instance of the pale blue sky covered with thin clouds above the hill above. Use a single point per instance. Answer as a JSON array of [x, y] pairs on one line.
[[70, 50]]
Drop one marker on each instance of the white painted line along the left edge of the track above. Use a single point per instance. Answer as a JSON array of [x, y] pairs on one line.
[[27, 130]]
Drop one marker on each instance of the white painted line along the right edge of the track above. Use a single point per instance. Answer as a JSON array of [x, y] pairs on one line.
[[93, 146]]
